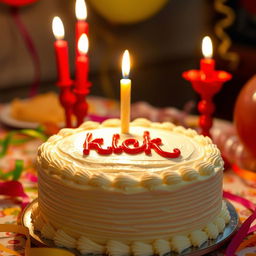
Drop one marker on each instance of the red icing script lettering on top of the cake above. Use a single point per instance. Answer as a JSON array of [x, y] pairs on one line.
[[129, 146]]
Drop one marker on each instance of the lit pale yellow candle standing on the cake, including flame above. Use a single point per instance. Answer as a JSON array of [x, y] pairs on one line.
[[125, 92]]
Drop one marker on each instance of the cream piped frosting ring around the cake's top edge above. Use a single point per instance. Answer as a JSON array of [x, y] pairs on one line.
[[211, 164]]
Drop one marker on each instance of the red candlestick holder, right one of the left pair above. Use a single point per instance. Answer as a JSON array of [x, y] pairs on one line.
[[81, 105]]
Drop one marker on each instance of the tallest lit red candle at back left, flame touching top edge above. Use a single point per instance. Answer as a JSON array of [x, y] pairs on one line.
[[81, 24]]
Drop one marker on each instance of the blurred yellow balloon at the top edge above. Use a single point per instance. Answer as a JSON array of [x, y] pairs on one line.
[[127, 11]]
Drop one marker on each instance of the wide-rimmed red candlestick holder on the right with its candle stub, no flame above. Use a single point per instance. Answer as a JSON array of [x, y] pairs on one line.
[[207, 82]]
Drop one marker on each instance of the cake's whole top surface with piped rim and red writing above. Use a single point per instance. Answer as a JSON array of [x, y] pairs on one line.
[[167, 154]]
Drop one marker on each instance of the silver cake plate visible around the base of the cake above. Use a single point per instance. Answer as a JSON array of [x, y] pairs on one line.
[[207, 247]]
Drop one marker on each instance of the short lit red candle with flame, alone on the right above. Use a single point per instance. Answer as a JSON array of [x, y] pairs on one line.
[[207, 64]]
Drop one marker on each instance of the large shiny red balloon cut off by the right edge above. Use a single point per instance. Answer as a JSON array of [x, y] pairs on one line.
[[245, 115]]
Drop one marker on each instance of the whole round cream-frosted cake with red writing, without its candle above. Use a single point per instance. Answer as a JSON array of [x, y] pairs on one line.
[[155, 190]]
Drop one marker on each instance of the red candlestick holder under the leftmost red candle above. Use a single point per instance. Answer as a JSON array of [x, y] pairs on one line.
[[67, 100]]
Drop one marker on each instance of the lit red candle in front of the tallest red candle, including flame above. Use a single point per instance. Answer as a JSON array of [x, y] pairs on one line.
[[82, 64]]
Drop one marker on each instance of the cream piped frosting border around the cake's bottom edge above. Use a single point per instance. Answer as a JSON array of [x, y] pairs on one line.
[[159, 247]]
